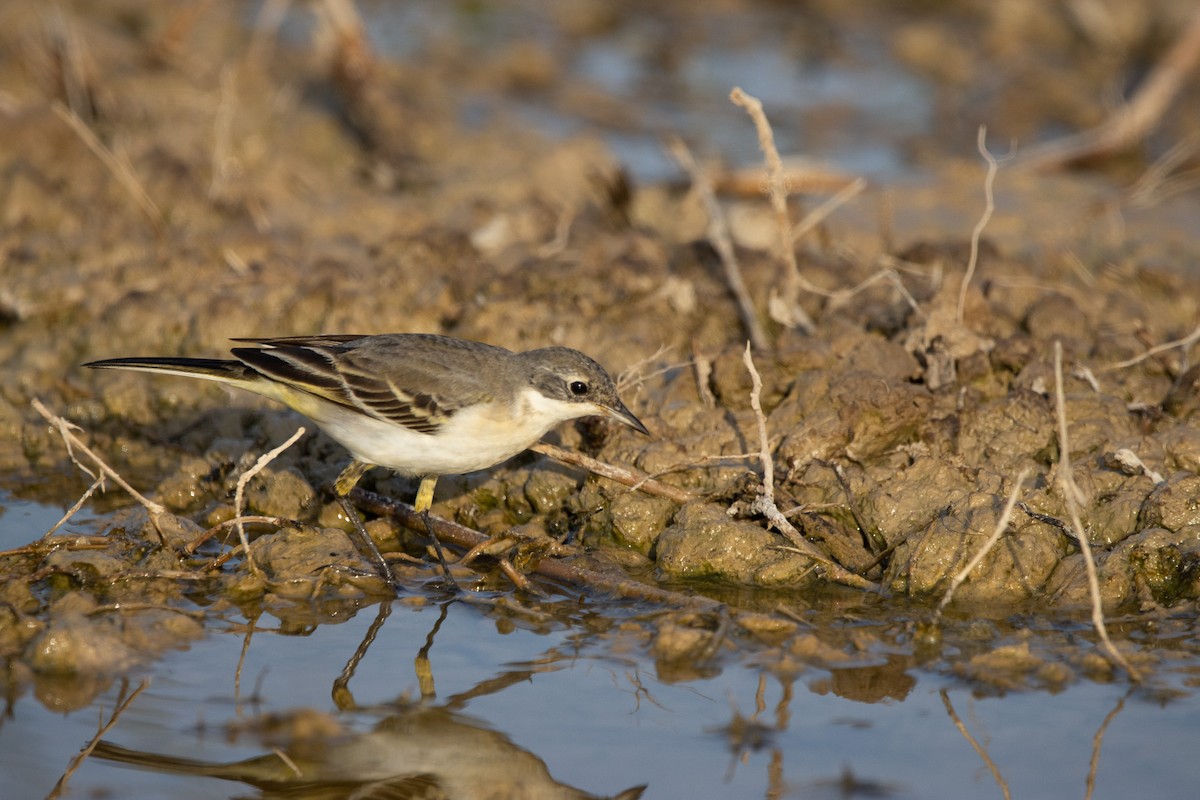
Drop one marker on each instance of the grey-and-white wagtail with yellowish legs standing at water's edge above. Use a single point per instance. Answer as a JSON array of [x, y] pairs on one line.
[[422, 405]]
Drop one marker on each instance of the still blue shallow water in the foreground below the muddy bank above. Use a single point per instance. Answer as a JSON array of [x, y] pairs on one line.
[[604, 720]]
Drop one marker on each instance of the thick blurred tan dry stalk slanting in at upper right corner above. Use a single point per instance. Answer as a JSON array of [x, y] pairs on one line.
[[1136, 118]]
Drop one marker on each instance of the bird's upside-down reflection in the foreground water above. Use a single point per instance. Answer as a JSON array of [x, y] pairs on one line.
[[419, 751]]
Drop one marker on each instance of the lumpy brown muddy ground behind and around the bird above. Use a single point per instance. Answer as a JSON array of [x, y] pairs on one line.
[[172, 181]]
